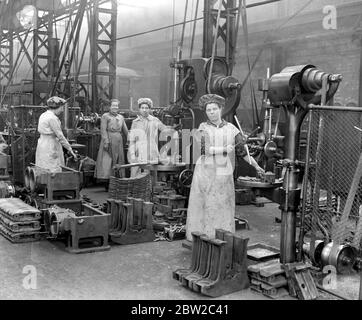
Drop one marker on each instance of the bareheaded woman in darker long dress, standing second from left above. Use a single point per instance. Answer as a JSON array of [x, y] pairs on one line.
[[111, 148]]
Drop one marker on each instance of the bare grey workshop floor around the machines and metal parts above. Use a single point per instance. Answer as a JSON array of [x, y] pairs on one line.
[[129, 272]]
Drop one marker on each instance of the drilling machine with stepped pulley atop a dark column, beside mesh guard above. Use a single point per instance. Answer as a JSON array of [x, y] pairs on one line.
[[294, 89]]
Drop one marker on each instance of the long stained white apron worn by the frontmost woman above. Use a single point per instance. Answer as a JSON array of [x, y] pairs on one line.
[[212, 195]]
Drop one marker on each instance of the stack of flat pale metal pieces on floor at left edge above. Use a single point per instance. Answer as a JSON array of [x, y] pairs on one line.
[[19, 222]]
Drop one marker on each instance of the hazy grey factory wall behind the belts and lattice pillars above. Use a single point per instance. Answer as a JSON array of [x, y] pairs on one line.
[[284, 41]]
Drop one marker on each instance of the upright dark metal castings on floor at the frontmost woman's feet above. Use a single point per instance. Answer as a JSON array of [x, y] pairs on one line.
[[218, 266]]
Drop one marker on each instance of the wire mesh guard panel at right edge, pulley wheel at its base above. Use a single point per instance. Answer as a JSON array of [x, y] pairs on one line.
[[331, 227]]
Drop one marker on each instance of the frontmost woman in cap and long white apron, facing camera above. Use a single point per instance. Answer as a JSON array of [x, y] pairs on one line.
[[212, 194]]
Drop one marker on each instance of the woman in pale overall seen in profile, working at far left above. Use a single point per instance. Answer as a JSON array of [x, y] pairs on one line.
[[49, 152]]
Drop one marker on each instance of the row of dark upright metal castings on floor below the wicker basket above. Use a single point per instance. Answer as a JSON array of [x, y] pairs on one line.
[[131, 221]]
